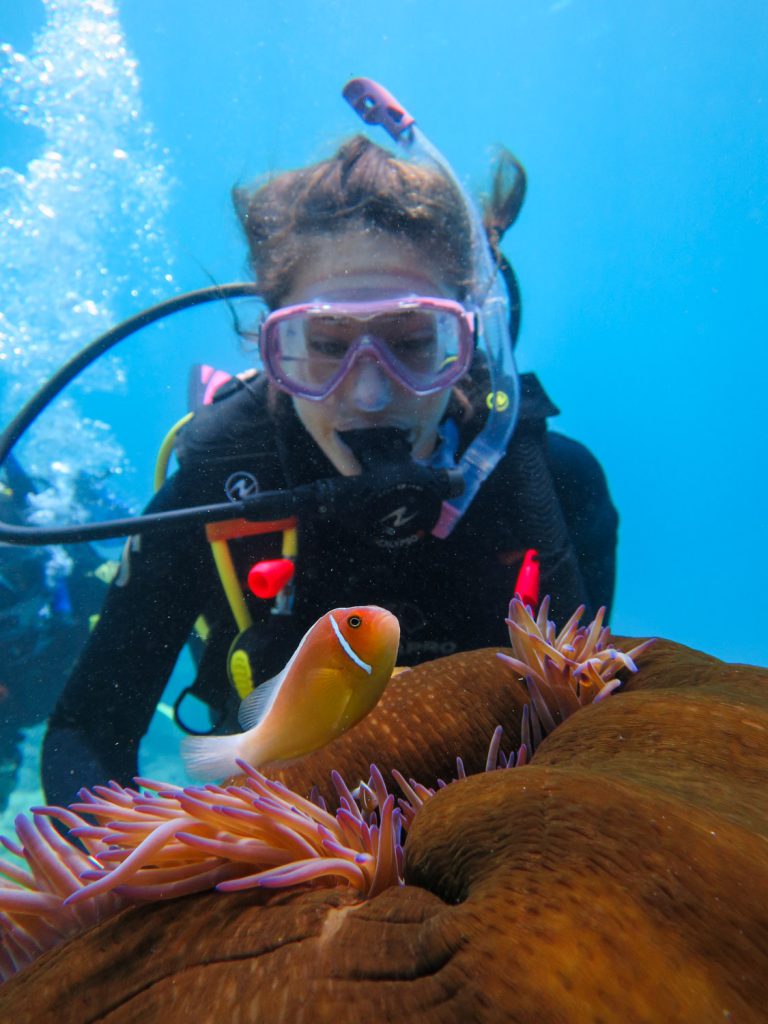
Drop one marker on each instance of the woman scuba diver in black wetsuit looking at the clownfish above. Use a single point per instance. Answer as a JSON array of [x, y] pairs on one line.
[[388, 351]]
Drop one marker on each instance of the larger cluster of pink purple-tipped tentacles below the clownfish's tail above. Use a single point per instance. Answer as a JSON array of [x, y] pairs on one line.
[[173, 842]]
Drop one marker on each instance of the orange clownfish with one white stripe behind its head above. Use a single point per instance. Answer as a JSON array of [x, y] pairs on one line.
[[334, 678]]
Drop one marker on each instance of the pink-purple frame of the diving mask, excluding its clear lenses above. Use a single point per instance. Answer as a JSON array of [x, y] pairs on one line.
[[366, 344]]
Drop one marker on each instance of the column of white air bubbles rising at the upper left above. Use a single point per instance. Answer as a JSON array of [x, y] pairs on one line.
[[97, 180]]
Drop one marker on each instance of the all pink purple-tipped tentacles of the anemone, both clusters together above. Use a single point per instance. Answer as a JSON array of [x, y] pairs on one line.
[[158, 841]]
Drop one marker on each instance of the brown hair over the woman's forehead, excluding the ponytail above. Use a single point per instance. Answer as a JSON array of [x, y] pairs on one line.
[[361, 187]]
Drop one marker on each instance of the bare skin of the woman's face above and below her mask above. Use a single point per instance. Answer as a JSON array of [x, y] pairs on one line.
[[368, 267]]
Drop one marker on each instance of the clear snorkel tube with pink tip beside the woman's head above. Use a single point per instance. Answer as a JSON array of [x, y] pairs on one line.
[[487, 298]]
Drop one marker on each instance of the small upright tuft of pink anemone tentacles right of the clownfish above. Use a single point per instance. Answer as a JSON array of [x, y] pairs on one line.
[[565, 671]]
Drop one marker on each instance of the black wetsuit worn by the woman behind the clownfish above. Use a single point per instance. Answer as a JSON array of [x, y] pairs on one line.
[[548, 493]]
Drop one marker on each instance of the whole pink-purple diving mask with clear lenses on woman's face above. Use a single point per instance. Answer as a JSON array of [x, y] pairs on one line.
[[424, 345]]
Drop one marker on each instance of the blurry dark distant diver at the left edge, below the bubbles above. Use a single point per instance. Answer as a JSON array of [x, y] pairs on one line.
[[48, 598]]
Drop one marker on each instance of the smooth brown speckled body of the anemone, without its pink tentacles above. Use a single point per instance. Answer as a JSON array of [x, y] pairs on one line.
[[620, 876]]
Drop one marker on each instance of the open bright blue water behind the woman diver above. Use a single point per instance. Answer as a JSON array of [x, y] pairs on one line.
[[643, 249]]
